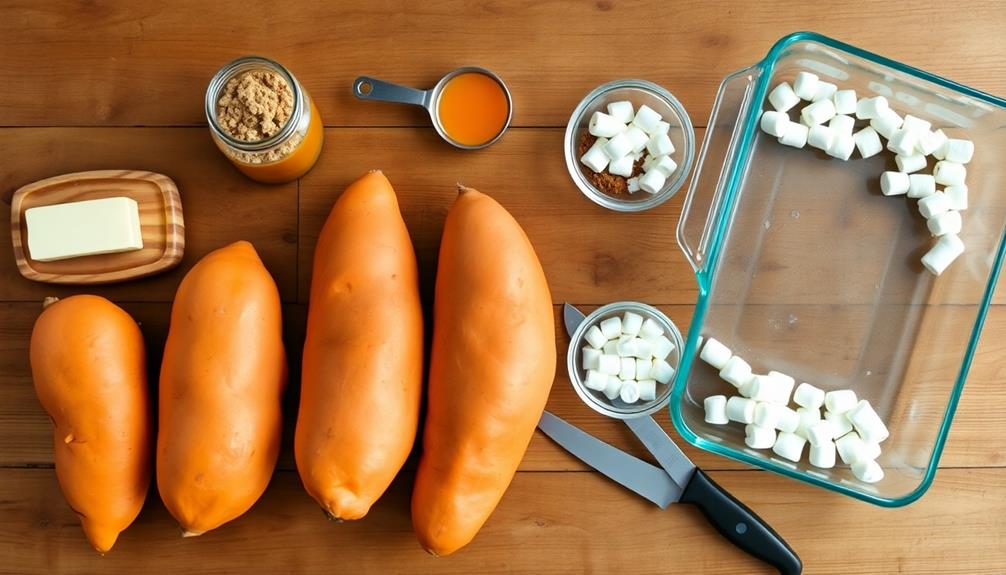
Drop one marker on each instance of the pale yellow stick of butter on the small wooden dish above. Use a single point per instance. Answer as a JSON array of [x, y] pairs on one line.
[[91, 228]]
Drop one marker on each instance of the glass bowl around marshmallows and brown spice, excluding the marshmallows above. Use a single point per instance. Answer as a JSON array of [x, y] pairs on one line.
[[638, 92]]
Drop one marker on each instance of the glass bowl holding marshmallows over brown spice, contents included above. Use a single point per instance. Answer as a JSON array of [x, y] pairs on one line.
[[629, 145]]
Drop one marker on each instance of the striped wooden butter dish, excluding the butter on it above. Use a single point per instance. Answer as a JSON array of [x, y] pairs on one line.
[[161, 227]]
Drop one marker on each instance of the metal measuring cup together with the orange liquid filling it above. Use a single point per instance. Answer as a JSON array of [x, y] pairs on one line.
[[470, 107]]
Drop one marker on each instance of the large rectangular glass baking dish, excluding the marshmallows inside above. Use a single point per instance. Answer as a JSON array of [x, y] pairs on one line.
[[805, 268]]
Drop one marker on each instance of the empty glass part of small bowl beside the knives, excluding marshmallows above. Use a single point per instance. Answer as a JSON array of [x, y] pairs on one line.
[[598, 401]]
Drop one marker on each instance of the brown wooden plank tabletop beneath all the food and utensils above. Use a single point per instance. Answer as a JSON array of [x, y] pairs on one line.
[[95, 85]]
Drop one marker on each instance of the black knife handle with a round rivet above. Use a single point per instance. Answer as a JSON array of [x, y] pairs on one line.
[[740, 525]]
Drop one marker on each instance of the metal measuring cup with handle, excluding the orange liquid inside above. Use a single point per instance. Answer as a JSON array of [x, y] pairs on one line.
[[366, 88]]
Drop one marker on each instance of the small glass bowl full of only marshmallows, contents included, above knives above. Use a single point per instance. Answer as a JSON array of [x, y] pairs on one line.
[[636, 377]]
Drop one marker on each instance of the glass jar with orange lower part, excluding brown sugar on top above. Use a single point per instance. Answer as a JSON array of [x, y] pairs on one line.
[[281, 157]]
